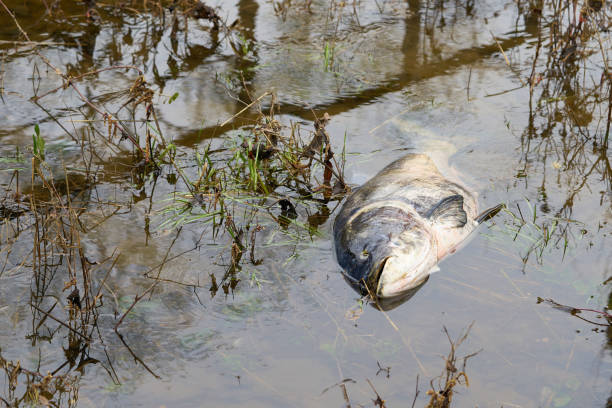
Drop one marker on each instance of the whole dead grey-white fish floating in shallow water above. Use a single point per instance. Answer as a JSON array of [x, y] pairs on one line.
[[391, 233]]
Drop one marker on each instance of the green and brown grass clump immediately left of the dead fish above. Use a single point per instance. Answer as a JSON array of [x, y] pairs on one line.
[[239, 188]]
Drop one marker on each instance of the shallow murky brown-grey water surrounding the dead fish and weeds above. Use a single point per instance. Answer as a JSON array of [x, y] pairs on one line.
[[405, 76]]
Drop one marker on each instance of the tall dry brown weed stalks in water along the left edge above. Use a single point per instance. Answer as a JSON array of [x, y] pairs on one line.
[[61, 276]]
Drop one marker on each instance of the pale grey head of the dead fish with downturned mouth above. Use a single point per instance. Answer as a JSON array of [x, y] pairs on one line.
[[386, 250]]
